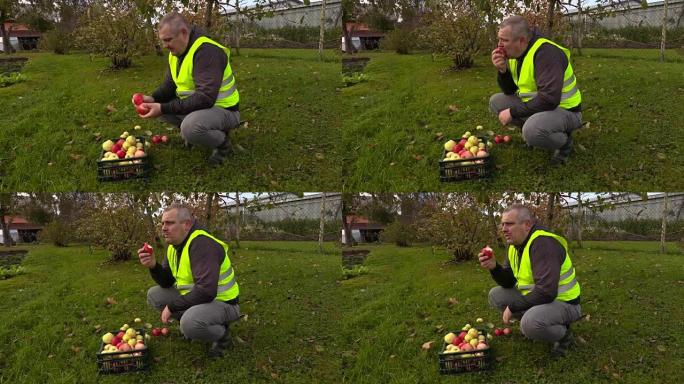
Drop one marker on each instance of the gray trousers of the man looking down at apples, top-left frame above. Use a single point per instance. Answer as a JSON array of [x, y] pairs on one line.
[[206, 127]]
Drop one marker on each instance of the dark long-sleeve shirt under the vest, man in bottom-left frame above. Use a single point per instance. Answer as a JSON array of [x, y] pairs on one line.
[[206, 257]]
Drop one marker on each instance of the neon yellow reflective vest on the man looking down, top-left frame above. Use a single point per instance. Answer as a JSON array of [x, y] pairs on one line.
[[228, 94]]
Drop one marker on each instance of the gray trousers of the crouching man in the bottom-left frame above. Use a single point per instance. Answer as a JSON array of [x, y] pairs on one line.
[[204, 322]]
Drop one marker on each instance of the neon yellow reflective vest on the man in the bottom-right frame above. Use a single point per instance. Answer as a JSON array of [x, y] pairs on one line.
[[568, 287]]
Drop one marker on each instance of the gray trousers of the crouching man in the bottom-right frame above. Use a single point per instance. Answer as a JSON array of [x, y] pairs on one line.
[[545, 322]]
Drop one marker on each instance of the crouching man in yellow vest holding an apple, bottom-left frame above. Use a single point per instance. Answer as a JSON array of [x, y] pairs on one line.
[[196, 281]]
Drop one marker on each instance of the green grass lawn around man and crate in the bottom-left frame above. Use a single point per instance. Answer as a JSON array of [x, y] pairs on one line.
[[289, 296]]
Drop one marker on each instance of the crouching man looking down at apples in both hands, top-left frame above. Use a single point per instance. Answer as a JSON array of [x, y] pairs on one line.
[[199, 92]]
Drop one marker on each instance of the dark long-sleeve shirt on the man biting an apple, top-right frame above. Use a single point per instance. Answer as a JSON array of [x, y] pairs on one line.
[[550, 64]]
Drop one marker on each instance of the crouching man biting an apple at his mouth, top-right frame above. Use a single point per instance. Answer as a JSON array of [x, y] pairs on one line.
[[539, 88]]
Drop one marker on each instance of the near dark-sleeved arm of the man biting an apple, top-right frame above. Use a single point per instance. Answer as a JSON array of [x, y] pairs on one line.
[[550, 64]]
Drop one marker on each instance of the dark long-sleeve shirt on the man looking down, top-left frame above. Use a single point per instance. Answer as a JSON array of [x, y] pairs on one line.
[[208, 65]]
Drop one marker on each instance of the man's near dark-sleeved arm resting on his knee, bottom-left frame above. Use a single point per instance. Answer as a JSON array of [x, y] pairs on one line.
[[206, 257]]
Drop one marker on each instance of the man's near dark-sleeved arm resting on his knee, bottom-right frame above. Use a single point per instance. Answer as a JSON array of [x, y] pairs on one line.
[[546, 257]]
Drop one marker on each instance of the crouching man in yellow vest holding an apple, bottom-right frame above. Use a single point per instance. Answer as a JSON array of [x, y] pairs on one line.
[[537, 282]]
